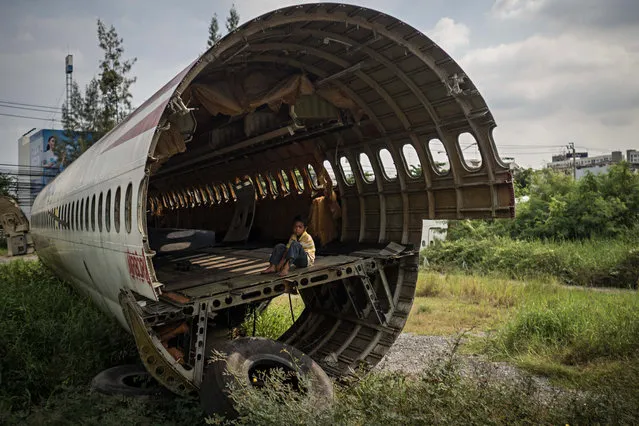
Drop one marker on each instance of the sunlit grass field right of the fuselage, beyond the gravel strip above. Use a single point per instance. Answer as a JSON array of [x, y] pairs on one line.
[[580, 338]]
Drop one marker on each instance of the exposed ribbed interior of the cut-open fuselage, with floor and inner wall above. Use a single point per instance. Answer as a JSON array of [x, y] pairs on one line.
[[338, 113]]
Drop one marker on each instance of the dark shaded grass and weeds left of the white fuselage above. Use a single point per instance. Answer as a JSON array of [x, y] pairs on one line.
[[50, 336]]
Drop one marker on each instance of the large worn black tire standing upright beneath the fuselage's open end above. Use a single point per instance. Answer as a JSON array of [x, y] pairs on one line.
[[248, 355]]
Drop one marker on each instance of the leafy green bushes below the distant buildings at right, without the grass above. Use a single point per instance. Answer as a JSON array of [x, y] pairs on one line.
[[605, 206]]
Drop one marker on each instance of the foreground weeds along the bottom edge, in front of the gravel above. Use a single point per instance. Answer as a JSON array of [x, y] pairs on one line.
[[439, 395]]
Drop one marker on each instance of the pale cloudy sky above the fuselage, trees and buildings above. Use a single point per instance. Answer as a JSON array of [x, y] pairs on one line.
[[552, 71]]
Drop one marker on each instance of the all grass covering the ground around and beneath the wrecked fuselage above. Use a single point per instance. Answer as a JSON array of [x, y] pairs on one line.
[[52, 342]]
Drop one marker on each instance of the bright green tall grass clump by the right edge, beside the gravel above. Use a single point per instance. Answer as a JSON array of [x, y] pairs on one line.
[[576, 328]]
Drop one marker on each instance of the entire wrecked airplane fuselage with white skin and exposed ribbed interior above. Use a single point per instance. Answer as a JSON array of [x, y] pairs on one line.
[[336, 112]]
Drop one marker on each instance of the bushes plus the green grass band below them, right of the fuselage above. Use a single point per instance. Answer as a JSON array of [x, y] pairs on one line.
[[580, 232]]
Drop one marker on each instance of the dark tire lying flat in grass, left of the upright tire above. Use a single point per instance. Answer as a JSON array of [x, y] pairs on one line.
[[127, 380]]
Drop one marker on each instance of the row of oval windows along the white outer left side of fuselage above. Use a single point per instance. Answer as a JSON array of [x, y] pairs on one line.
[[80, 215]]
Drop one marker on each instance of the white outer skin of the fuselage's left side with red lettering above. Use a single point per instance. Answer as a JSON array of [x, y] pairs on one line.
[[99, 262]]
